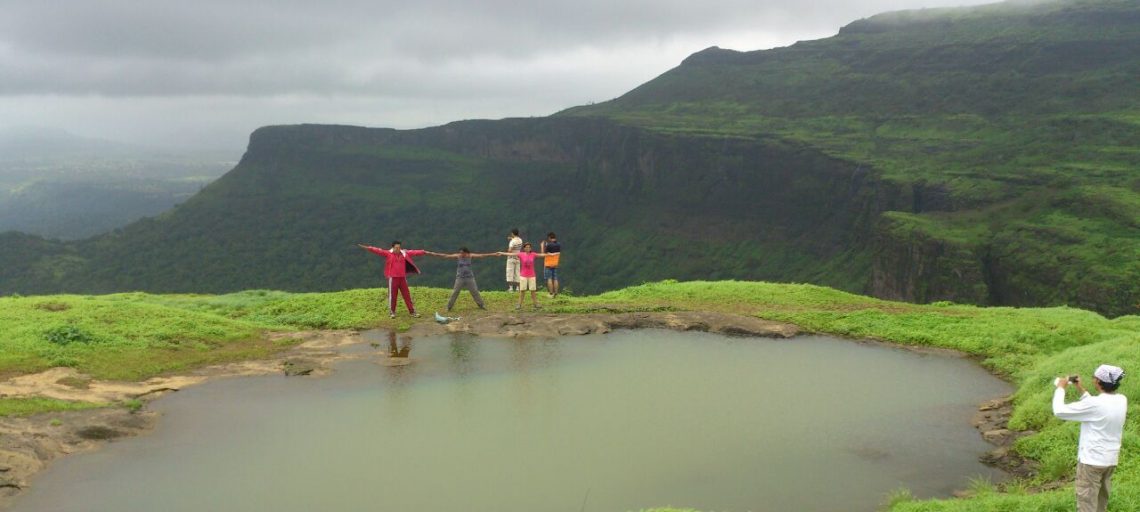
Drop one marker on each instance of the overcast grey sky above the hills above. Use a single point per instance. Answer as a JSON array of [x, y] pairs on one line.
[[208, 72]]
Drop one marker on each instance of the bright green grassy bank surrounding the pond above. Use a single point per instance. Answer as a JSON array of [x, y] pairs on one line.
[[140, 336]]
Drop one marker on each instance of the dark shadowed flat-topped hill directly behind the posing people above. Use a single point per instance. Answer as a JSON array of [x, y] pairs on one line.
[[292, 213]]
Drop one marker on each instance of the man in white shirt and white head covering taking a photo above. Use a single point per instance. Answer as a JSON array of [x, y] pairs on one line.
[[1102, 427]]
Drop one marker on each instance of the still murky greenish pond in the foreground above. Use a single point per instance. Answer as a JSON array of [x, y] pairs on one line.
[[615, 422]]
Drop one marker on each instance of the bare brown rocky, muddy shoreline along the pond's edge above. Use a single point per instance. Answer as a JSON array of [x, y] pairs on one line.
[[29, 445]]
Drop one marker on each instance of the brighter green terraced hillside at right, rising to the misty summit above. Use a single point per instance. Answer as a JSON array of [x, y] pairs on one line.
[[1016, 127]]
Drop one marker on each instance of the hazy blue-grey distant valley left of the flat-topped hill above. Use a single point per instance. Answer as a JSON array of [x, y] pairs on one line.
[[58, 185]]
